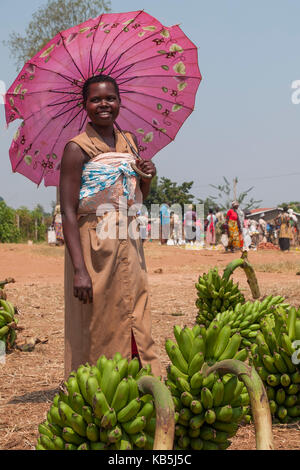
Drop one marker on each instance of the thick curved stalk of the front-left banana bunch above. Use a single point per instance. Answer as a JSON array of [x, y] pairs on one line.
[[165, 412]]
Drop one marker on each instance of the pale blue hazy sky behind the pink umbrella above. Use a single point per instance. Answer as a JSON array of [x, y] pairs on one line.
[[246, 118]]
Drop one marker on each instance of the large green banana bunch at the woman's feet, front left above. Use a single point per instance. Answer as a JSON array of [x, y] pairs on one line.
[[100, 408]]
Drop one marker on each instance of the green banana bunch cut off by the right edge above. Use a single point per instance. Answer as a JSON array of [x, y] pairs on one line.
[[276, 357]]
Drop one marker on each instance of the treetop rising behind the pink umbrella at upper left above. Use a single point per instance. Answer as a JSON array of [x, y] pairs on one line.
[[47, 21]]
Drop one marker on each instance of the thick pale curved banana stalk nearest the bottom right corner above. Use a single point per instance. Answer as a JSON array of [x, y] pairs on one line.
[[258, 398]]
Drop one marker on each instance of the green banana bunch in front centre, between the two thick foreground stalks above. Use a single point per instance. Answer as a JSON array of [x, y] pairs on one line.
[[208, 409]]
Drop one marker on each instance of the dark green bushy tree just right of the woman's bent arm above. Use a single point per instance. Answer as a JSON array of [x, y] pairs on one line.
[[164, 190]]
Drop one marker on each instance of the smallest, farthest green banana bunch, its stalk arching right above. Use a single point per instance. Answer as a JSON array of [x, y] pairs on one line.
[[215, 294]]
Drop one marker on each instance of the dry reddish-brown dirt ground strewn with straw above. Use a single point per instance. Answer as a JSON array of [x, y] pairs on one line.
[[29, 380]]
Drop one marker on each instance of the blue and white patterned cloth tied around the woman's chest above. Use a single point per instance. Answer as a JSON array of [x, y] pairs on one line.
[[98, 176]]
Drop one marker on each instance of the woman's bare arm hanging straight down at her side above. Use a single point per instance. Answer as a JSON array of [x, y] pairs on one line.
[[70, 178]]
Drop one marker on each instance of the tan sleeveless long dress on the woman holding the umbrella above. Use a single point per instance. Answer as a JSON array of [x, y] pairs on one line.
[[117, 270]]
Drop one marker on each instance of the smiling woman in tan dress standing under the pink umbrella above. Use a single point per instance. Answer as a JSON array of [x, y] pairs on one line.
[[106, 291]]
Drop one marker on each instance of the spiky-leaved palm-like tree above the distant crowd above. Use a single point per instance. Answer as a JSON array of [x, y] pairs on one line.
[[227, 192]]
